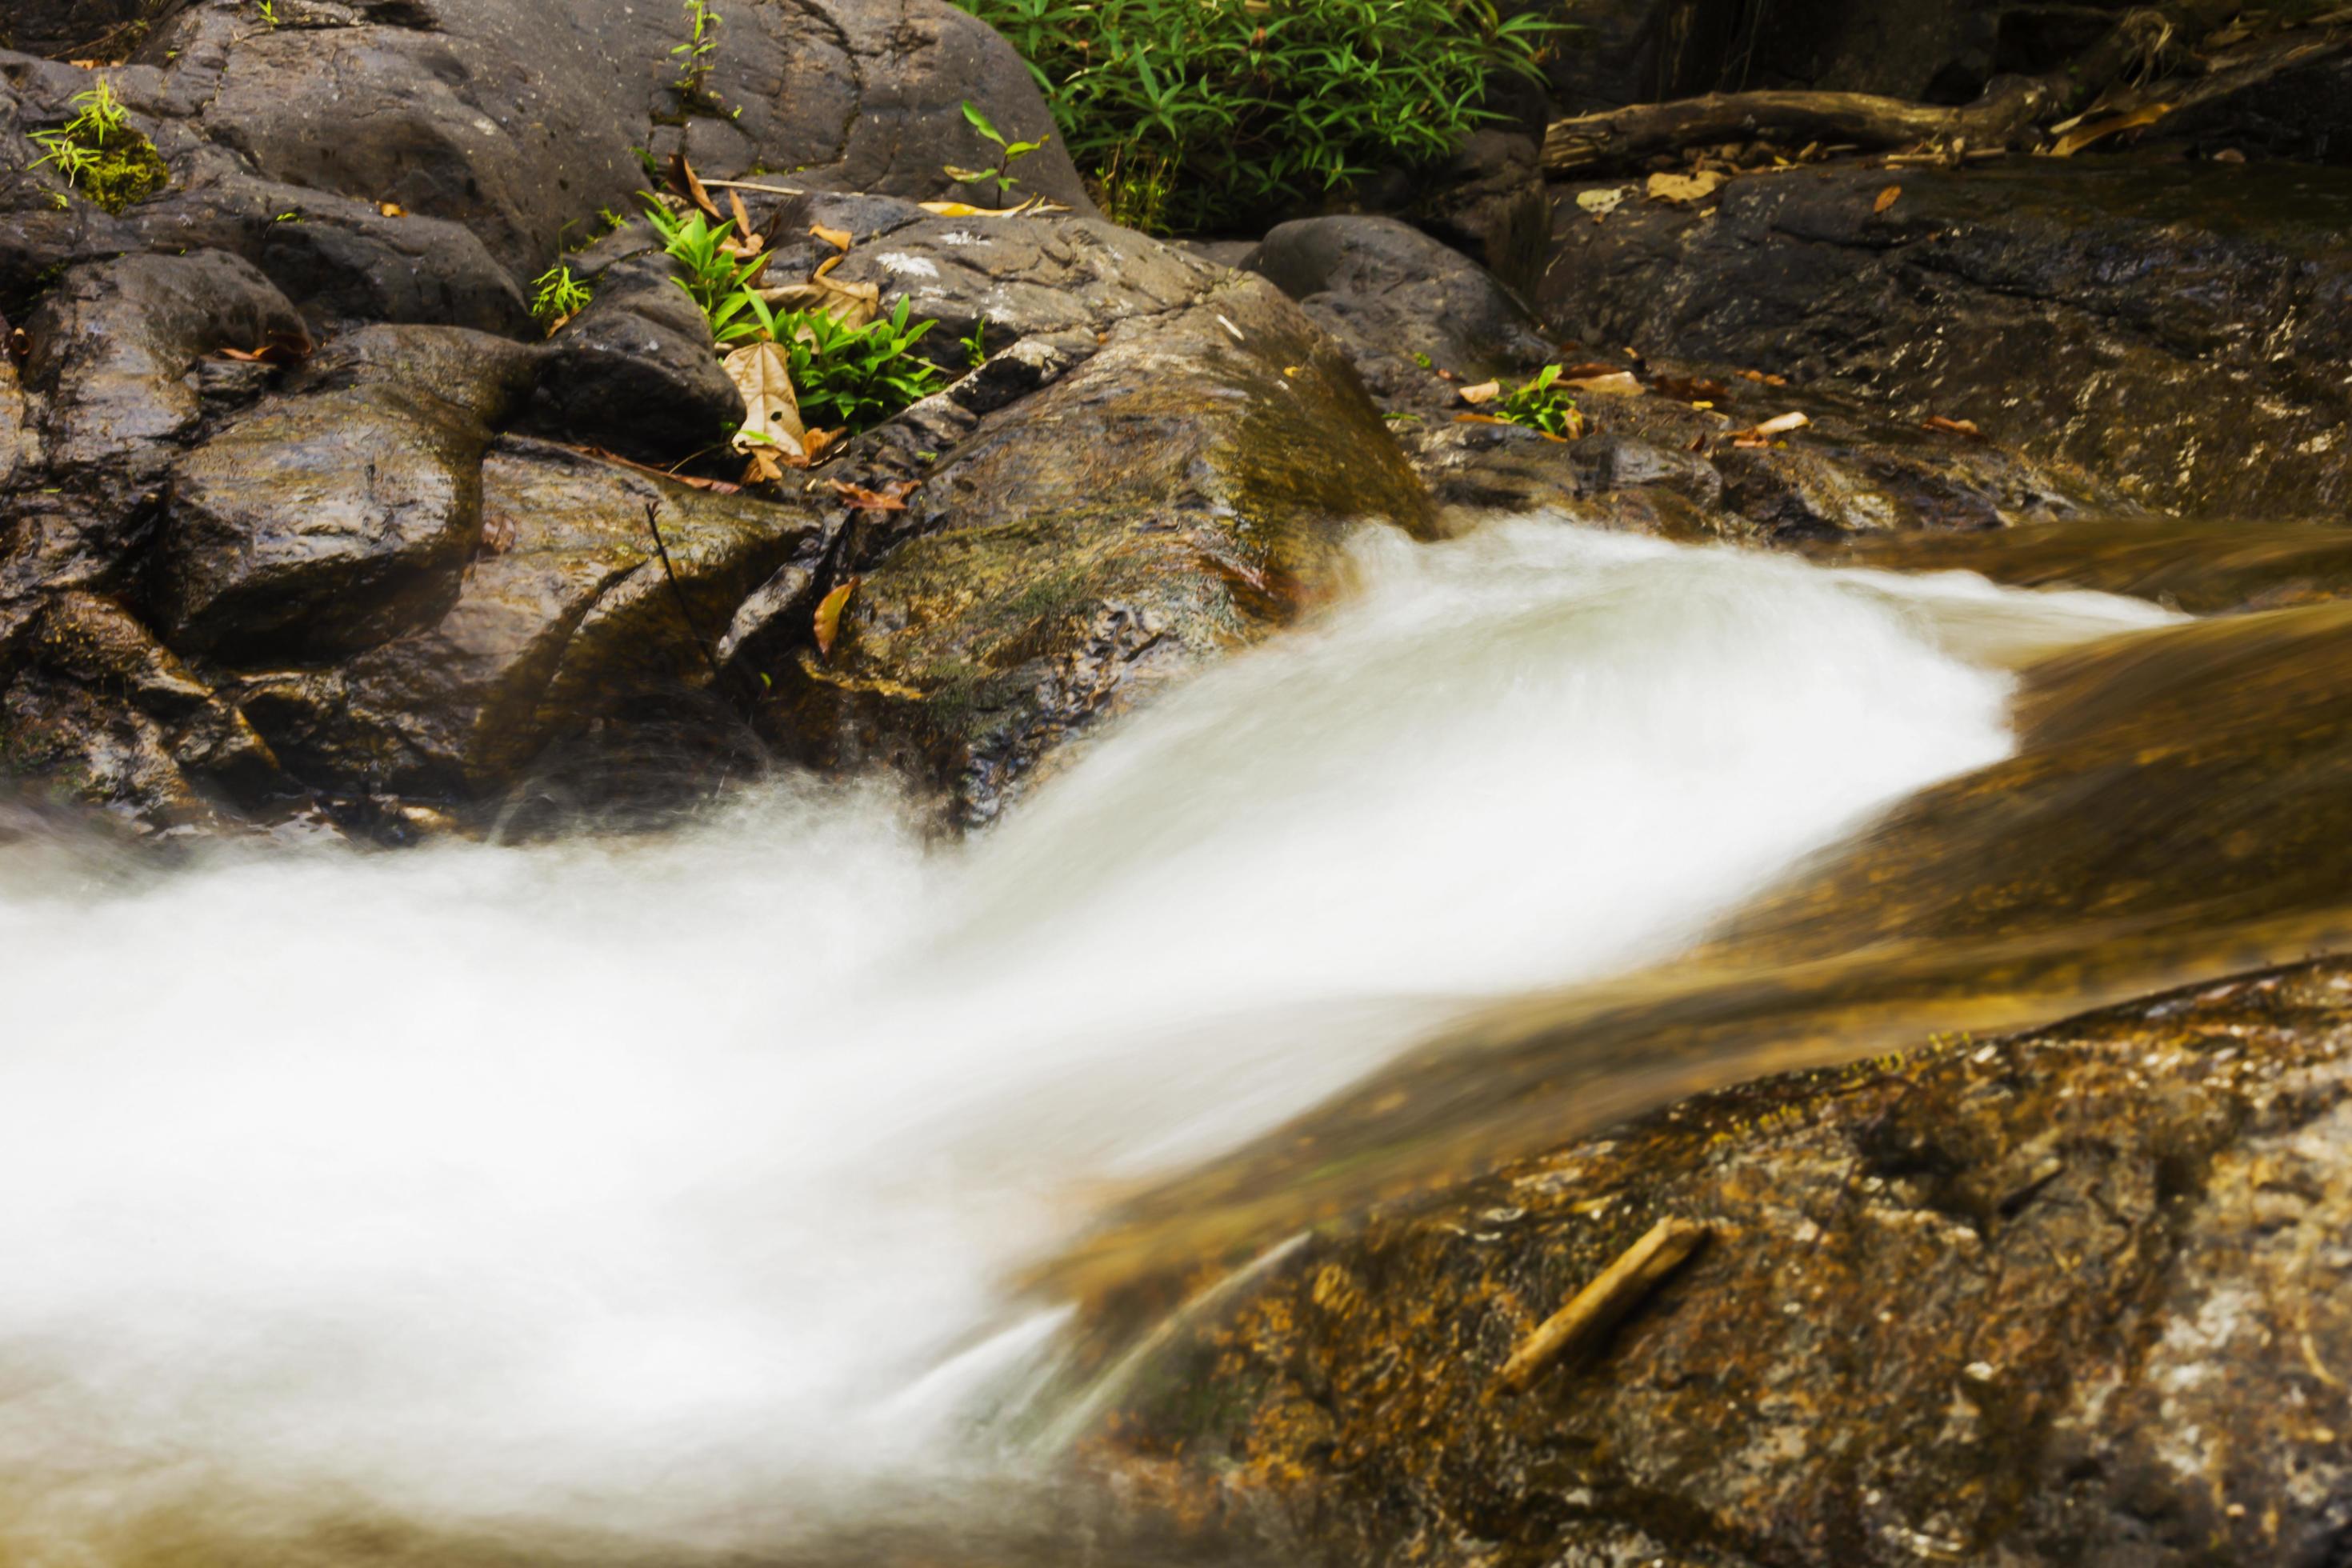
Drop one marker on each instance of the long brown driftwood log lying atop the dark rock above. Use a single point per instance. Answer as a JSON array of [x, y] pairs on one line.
[[2012, 116]]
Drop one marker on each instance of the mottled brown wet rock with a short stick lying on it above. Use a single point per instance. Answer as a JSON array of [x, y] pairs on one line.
[[2059, 1299]]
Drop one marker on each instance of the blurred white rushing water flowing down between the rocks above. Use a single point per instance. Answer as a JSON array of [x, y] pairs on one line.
[[674, 1186]]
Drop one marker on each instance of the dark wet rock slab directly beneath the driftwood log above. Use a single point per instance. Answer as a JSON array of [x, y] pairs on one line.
[[2026, 302]]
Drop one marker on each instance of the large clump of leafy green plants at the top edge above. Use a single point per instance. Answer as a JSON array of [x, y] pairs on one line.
[[1205, 114]]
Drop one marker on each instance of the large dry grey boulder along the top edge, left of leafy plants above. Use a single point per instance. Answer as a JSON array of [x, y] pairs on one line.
[[519, 121]]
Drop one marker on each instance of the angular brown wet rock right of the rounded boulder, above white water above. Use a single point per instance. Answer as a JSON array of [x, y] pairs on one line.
[[563, 619]]
